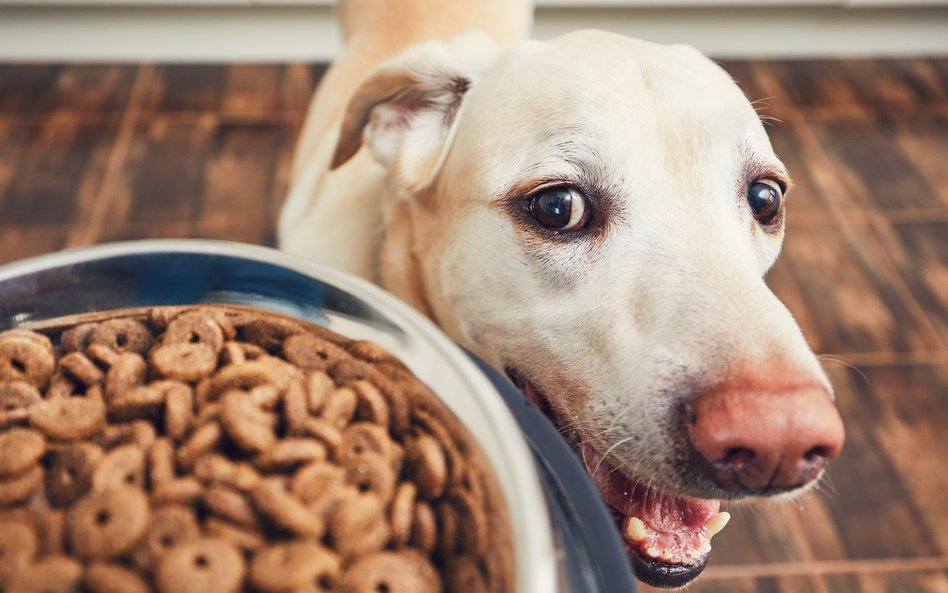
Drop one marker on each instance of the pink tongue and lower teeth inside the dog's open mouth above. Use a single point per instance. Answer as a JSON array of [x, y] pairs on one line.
[[661, 526]]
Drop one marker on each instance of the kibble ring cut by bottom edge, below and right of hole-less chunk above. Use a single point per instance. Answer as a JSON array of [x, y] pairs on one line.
[[404, 571]]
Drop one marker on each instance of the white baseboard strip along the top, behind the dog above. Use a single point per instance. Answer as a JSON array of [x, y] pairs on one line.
[[280, 30]]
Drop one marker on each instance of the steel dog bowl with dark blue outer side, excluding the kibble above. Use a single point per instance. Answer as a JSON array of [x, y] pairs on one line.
[[564, 538]]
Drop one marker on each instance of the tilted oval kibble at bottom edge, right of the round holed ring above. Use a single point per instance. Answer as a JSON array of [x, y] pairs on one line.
[[286, 566]]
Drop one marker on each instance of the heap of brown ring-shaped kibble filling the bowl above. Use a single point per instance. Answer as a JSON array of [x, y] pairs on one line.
[[219, 450]]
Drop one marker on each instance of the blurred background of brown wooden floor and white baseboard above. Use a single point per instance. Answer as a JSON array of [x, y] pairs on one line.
[[127, 119]]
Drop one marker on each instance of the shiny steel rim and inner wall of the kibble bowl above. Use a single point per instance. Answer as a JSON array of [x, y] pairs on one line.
[[145, 273]]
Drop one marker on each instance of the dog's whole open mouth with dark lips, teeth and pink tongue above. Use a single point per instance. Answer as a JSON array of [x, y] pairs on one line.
[[667, 536]]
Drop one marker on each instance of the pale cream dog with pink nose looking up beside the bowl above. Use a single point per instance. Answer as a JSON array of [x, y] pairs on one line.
[[593, 215]]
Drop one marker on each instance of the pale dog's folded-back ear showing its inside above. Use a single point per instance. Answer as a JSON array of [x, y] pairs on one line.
[[406, 111]]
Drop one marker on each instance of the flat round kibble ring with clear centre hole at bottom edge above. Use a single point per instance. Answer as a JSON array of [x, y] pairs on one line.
[[202, 566]]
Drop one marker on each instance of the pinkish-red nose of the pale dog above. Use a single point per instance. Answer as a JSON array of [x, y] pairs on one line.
[[759, 441]]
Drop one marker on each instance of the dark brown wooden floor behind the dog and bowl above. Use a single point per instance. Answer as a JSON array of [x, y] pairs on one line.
[[103, 153]]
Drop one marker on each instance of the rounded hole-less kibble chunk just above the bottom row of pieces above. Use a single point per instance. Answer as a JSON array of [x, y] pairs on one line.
[[358, 526]]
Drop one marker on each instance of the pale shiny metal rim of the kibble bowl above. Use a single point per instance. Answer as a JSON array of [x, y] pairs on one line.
[[536, 559]]
